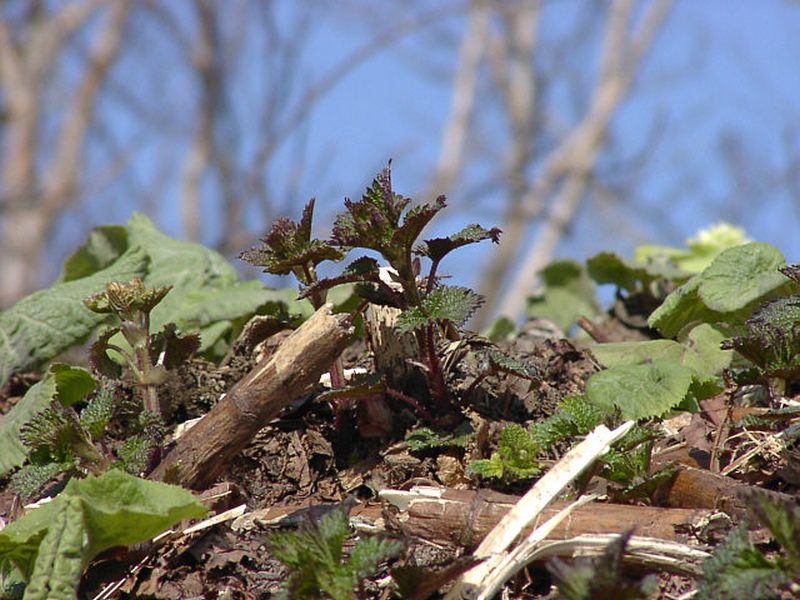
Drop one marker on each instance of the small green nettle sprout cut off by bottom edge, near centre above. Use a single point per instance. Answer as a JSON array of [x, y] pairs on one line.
[[314, 555]]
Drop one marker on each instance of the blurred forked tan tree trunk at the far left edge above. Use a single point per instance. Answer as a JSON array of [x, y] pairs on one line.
[[41, 174]]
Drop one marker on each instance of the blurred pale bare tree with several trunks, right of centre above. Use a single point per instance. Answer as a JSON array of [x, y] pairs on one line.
[[544, 180]]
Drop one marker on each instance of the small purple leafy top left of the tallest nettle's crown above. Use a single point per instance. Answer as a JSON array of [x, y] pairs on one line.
[[288, 248]]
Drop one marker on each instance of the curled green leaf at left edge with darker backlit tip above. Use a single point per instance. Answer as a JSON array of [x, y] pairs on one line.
[[61, 381]]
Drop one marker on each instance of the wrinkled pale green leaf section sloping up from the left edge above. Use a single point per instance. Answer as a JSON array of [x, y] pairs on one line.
[[44, 324]]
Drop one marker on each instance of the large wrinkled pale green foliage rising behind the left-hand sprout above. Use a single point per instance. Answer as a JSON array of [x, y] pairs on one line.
[[207, 295]]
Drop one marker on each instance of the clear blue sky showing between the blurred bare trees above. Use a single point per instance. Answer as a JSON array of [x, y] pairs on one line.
[[719, 66]]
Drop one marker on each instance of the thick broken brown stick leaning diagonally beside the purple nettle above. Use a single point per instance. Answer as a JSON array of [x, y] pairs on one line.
[[205, 450]]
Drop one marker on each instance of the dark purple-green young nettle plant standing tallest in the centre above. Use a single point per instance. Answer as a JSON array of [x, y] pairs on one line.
[[382, 222]]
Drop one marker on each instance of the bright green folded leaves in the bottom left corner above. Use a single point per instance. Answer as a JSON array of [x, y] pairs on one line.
[[52, 545]]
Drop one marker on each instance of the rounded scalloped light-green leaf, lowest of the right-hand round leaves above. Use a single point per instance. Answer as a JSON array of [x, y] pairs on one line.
[[641, 391]]
